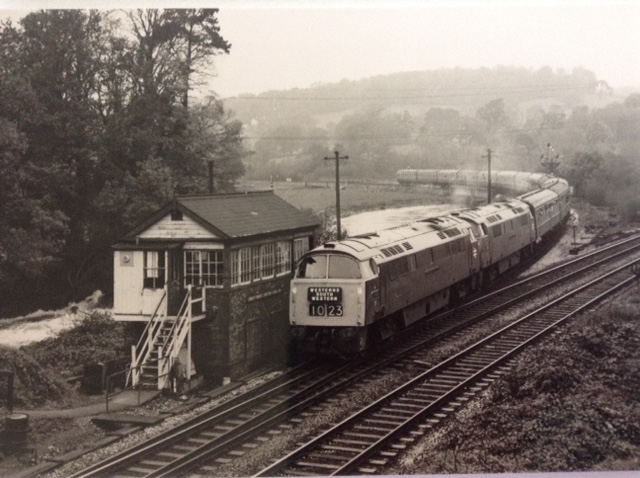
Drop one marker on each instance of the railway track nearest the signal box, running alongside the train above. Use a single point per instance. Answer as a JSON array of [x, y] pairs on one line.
[[241, 424]]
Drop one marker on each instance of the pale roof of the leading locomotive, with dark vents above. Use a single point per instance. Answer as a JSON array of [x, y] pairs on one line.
[[388, 244]]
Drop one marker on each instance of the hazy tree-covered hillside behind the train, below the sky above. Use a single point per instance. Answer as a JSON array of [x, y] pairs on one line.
[[423, 119]]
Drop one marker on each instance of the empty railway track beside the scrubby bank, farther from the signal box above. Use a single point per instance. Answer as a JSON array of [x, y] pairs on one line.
[[366, 441]]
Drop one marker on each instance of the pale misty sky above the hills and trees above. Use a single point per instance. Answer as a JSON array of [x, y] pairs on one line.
[[281, 44]]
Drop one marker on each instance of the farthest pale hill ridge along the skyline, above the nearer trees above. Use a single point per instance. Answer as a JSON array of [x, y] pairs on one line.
[[465, 90]]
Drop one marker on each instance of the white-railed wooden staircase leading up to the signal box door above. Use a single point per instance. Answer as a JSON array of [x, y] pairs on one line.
[[157, 350]]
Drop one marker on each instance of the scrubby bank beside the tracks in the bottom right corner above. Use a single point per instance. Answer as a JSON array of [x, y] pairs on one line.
[[569, 405]]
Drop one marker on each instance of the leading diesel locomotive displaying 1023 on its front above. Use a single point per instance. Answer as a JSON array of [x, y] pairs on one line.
[[395, 277]]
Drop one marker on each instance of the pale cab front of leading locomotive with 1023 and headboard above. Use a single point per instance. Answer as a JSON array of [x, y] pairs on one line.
[[328, 303]]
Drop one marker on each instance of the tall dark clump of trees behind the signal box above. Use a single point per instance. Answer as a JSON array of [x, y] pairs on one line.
[[97, 130]]
